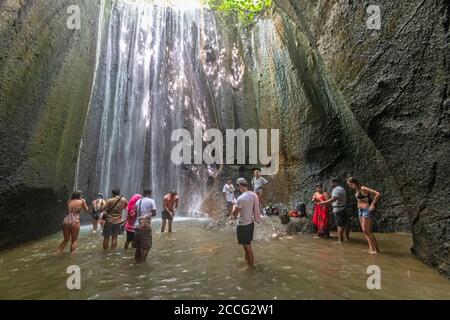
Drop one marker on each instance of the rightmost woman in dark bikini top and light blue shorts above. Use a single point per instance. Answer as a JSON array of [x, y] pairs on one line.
[[367, 200]]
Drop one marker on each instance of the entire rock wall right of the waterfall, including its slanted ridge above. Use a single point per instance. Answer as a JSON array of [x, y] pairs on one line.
[[378, 108]]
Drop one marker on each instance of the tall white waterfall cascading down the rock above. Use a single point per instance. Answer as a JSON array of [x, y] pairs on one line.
[[161, 68]]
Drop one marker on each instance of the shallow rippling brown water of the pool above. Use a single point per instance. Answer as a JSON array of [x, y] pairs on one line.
[[200, 263]]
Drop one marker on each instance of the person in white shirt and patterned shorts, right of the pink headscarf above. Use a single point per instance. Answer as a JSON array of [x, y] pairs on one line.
[[145, 209]]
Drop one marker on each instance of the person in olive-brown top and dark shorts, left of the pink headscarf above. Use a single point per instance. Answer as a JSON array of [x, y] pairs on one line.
[[113, 208]]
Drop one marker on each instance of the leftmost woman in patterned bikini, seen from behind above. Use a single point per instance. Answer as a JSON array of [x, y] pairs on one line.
[[71, 223]]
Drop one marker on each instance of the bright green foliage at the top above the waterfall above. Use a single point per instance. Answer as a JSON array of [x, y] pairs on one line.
[[245, 10]]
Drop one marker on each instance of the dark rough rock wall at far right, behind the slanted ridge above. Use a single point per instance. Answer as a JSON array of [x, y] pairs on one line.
[[393, 85]]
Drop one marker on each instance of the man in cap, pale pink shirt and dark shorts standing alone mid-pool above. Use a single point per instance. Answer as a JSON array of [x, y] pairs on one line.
[[247, 211]]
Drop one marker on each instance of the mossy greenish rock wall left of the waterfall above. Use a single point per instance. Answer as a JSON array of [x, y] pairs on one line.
[[45, 82]]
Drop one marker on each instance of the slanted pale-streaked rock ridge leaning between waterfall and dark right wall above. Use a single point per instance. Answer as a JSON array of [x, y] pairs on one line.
[[320, 136]]
